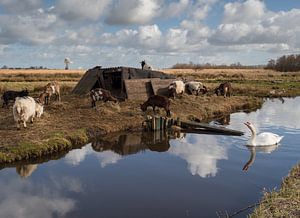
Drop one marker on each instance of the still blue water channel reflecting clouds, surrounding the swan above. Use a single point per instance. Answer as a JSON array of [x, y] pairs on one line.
[[139, 175]]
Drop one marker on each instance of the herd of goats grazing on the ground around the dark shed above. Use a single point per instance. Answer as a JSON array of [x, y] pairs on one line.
[[26, 108]]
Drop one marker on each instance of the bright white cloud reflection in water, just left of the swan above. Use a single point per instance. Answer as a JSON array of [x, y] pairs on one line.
[[201, 153]]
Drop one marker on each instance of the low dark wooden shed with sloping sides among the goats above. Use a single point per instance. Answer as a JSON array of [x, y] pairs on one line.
[[122, 82]]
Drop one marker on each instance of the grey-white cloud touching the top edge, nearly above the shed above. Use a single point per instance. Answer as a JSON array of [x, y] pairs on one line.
[[133, 12]]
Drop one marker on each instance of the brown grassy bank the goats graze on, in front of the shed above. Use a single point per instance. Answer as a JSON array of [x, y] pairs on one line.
[[72, 122]]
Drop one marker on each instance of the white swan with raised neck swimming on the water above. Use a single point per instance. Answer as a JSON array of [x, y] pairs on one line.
[[262, 139]]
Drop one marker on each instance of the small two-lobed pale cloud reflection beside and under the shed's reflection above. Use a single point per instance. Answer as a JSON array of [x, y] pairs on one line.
[[105, 158]]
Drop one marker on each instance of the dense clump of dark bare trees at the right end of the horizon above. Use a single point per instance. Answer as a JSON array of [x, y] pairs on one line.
[[285, 63]]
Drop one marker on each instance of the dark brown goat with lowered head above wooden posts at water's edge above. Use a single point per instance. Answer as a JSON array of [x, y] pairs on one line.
[[157, 101]]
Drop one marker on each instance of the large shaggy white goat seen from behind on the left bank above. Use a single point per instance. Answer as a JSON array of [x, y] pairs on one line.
[[26, 108]]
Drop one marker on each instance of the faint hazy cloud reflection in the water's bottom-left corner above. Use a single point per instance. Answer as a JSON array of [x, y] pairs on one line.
[[25, 199]]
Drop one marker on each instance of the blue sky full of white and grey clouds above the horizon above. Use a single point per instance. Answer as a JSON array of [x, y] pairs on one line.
[[112, 33]]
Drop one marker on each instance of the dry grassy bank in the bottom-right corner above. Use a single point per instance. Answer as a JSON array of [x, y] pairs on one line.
[[282, 203]]
